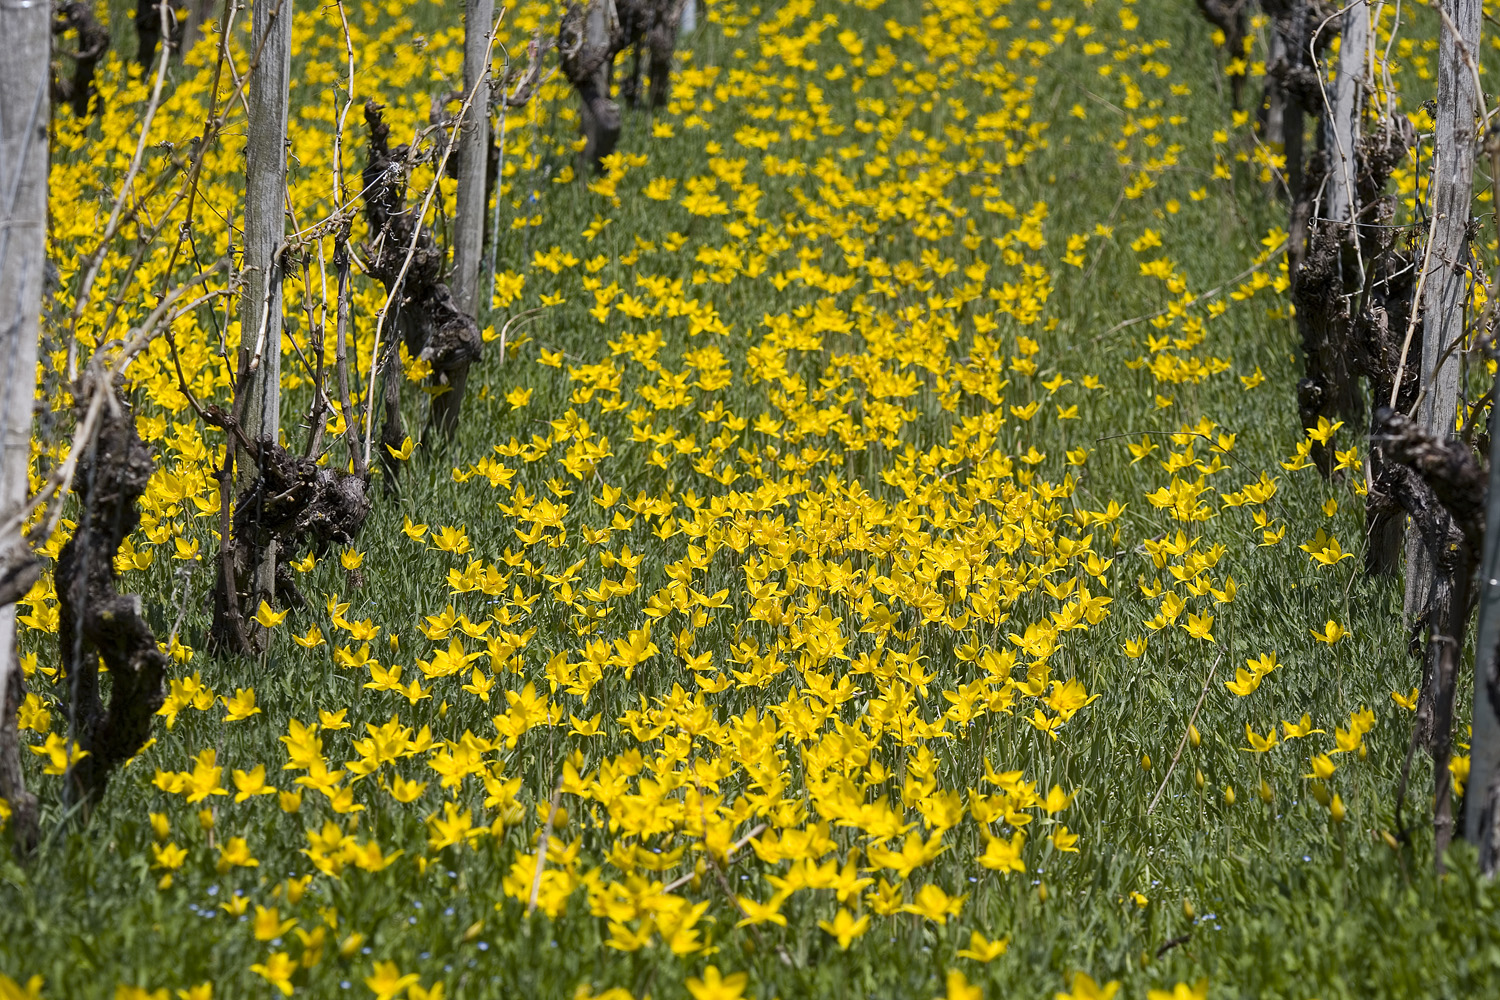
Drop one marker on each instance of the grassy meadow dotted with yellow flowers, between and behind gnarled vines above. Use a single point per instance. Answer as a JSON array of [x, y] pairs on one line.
[[880, 554]]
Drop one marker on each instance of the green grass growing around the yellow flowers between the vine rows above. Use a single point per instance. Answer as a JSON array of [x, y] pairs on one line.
[[1262, 899]]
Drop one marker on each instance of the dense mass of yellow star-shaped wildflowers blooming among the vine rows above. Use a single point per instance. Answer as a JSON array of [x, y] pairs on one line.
[[829, 460]]
